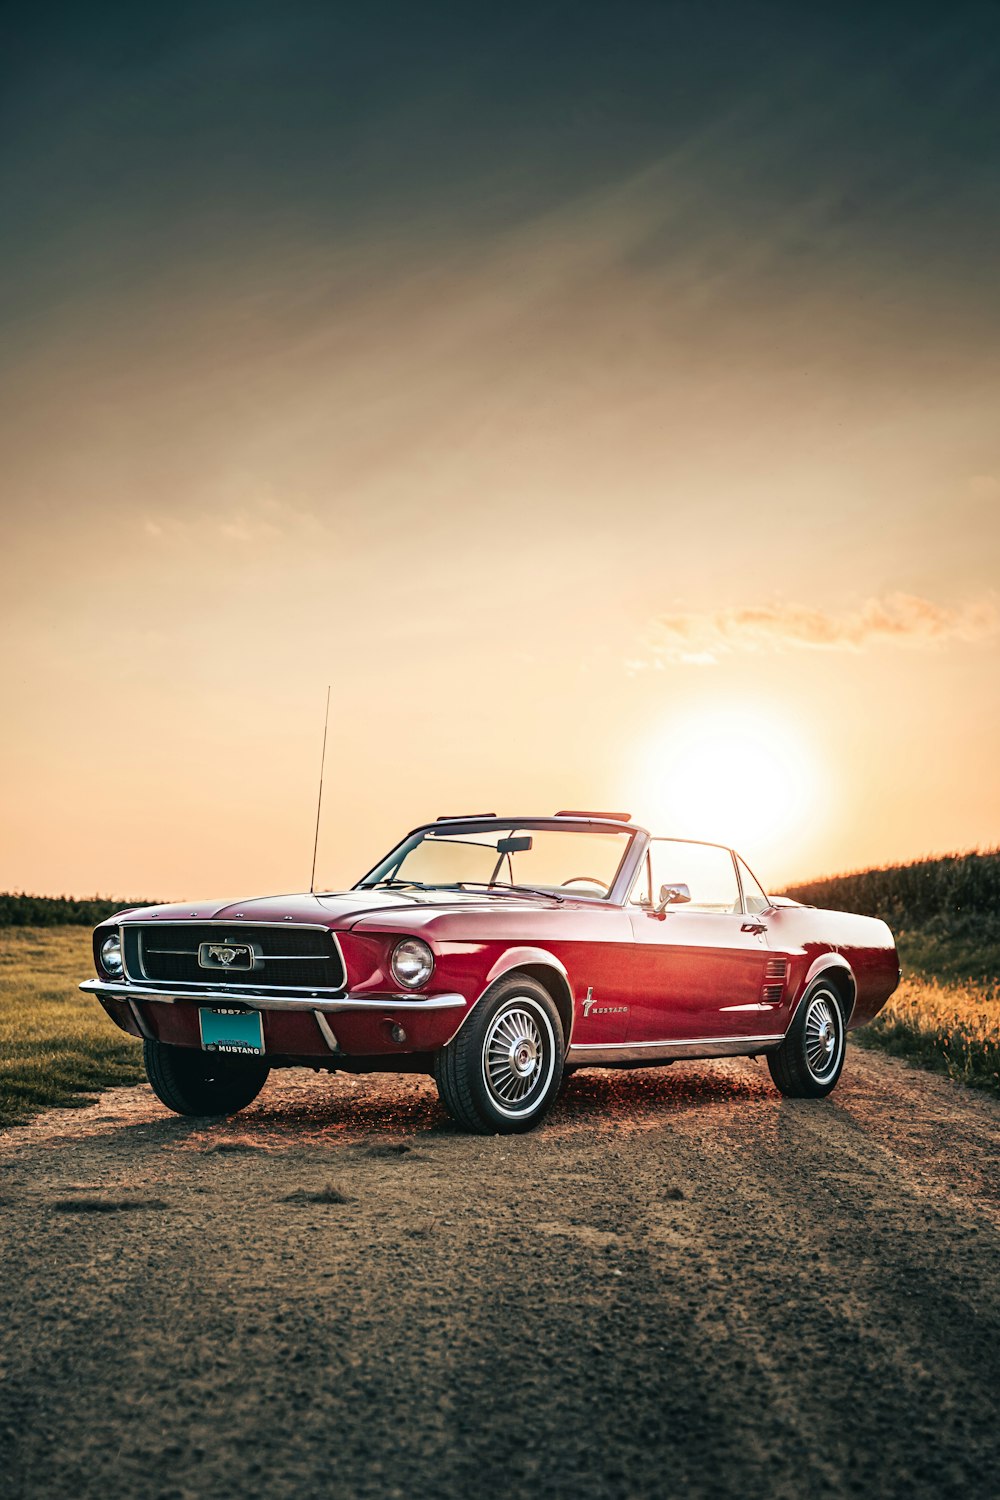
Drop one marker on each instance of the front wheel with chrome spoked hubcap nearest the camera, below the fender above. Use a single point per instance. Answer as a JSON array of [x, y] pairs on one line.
[[503, 1072]]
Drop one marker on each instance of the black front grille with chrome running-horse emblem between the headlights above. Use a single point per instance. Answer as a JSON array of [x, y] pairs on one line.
[[283, 958]]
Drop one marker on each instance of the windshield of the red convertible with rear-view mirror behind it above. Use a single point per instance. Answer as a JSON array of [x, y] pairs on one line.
[[557, 862]]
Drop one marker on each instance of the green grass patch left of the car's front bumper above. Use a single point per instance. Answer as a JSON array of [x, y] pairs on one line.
[[58, 1048]]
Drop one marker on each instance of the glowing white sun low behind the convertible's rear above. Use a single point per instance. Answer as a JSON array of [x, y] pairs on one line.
[[737, 776]]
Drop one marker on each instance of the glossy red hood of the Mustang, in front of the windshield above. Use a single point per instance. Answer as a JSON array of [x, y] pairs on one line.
[[340, 910]]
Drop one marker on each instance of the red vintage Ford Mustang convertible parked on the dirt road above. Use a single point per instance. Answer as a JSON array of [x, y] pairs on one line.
[[497, 955]]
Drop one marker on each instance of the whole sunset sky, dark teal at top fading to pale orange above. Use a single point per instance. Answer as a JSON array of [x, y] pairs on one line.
[[603, 400]]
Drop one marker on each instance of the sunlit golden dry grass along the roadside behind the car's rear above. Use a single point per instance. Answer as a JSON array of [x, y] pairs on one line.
[[951, 1028]]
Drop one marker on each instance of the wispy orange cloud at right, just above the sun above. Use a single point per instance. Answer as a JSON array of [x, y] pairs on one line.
[[902, 620]]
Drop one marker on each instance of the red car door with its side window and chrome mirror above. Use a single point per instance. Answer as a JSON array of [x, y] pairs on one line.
[[699, 962]]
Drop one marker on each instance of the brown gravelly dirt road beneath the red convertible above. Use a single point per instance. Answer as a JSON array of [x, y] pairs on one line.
[[681, 1286]]
